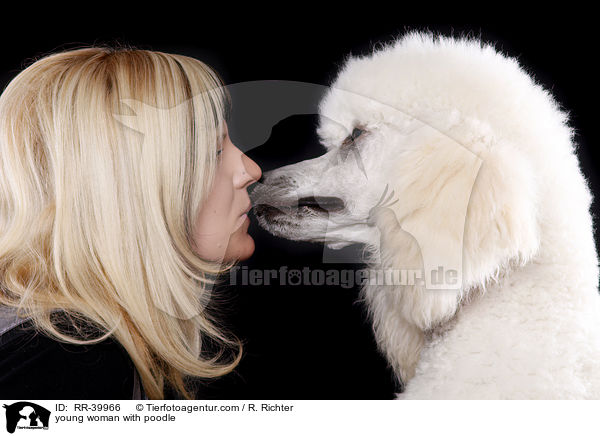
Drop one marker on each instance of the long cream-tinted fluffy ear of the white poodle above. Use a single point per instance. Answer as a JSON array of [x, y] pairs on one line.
[[468, 215]]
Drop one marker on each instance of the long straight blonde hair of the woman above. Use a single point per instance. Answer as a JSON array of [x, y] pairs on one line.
[[96, 218]]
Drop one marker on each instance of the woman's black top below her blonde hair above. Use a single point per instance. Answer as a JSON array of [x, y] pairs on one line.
[[34, 366]]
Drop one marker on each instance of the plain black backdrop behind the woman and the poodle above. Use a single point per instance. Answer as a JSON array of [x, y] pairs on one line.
[[307, 341]]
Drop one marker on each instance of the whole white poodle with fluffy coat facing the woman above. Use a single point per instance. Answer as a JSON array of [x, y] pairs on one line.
[[481, 162]]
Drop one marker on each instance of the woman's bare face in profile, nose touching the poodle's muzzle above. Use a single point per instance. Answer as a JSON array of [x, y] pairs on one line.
[[221, 228]]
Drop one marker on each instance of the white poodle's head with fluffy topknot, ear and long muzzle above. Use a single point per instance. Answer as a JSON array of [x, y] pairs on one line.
[[423, 164]]
